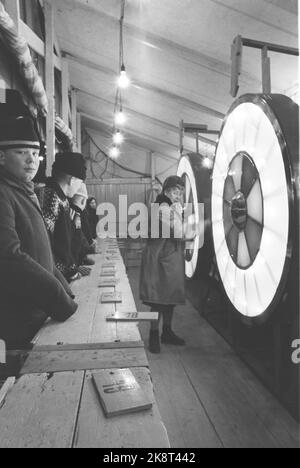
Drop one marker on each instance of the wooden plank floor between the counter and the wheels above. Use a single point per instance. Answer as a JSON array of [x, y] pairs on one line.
[[207, 397]]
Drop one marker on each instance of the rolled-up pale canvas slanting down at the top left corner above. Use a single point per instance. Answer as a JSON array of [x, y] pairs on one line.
[[18, 47]]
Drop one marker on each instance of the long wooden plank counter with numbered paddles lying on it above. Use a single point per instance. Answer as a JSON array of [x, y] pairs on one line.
[[54, 404]]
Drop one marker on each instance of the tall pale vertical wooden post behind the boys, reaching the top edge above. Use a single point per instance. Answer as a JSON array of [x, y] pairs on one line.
[[50, 83]]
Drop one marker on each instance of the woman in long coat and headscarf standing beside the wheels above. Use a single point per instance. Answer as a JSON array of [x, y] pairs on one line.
[[162, 282]]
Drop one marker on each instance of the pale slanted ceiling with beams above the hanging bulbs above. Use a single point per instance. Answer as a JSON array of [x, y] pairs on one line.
[[177, 54]]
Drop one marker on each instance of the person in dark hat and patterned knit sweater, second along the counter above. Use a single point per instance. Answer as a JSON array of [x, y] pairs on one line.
[[68, 173]]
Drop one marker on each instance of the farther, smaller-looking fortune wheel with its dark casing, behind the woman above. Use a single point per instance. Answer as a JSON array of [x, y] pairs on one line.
[[197, 170]]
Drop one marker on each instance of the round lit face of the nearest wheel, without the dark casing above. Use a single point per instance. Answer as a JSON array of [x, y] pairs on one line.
[[250, 210]]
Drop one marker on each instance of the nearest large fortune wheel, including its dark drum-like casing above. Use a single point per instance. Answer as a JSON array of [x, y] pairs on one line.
[[254, 200]]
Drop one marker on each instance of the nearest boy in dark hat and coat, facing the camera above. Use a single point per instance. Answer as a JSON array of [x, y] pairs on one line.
[[31, 288]]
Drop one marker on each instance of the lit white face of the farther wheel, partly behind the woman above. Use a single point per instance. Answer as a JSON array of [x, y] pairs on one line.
[[191, 196]]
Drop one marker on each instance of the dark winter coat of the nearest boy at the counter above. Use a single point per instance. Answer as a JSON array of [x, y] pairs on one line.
[[31, 288]]
